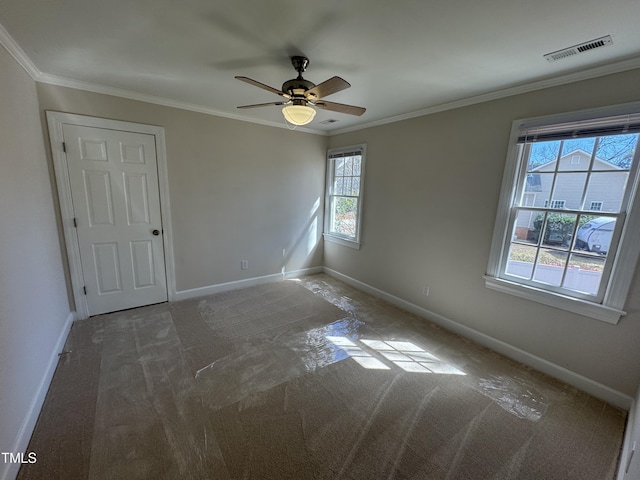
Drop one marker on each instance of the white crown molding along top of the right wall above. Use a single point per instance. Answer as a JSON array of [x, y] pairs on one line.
[[601, 71]]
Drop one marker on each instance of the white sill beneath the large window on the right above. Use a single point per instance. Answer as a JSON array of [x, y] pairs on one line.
[[574, 305]]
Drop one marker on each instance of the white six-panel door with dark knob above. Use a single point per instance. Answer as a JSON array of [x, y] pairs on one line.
[[116, 202]]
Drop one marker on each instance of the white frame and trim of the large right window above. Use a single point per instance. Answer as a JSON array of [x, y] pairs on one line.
[[610, 308]]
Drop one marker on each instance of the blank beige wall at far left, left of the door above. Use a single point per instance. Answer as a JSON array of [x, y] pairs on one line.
[[33, 301]]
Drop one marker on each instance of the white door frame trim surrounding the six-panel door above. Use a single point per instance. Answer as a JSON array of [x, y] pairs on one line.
[[55, 121]]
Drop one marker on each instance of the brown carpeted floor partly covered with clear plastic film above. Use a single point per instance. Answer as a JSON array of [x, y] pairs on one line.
[[307, 379]]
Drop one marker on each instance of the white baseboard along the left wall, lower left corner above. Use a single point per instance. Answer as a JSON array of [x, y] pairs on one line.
[[9, 471]]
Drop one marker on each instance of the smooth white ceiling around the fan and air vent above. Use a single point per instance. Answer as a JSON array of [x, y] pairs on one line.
[[401, 58]]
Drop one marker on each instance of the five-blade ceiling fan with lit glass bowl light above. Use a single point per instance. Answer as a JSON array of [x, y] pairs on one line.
[[302, 95]]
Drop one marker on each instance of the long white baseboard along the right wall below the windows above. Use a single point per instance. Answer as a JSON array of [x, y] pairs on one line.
[[583, 383]]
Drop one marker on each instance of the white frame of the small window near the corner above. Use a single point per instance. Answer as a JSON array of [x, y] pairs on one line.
[[332, 236]]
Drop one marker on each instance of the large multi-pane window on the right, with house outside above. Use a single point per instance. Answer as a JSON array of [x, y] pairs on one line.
[[574, 259]]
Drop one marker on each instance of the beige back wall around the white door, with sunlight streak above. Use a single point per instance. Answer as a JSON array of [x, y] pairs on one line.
[[238, 191]]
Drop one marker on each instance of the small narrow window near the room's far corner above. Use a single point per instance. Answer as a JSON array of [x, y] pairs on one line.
[[343, 212]]
